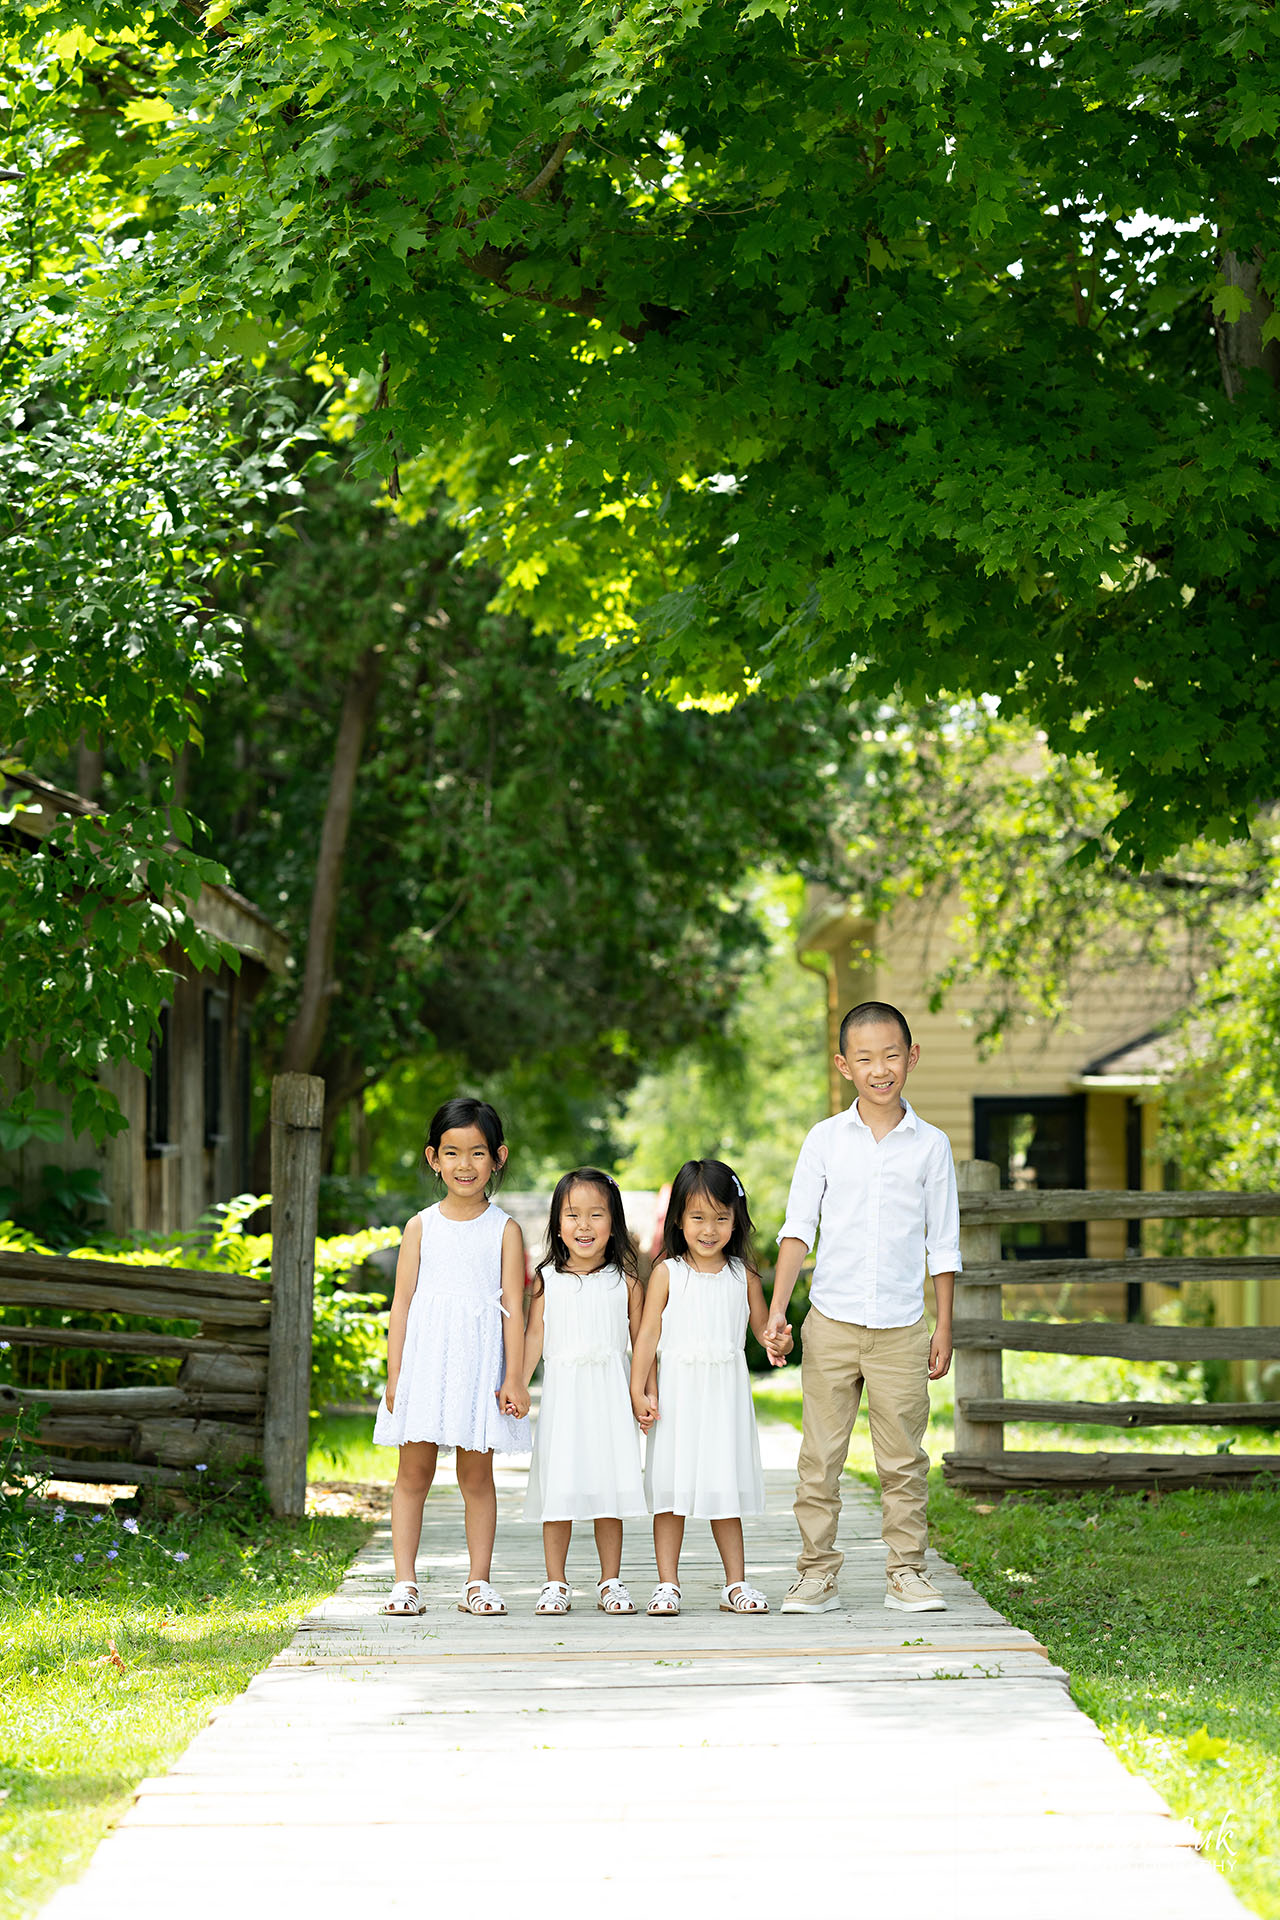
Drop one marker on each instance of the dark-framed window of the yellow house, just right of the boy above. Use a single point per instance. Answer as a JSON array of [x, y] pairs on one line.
[[1037, 1141]]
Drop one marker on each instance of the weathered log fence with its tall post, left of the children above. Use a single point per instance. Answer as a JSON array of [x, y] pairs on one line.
[[245, 1383]]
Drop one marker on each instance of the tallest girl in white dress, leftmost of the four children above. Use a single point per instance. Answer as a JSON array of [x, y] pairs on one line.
[[456, 1351]]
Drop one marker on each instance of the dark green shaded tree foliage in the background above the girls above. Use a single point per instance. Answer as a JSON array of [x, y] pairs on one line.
[[527, 876]]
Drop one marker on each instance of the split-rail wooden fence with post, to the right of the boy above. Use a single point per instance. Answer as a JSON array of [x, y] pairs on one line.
[[982, 1460]]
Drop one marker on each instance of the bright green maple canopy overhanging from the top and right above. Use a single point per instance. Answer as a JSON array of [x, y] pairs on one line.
[[769, 339]]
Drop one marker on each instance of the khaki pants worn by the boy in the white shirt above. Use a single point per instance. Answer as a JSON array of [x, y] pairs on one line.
[[893, 1362]]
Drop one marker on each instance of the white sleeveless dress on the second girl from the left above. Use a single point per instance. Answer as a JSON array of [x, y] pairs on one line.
[[586, 1449]]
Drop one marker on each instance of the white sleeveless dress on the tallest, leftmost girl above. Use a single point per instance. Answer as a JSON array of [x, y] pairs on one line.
[[454, 1343]]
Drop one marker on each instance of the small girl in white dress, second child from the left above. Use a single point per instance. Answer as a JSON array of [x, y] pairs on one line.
[[584, 1314]]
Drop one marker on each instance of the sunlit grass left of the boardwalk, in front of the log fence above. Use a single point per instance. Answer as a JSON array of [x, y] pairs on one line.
[[80, 1729]]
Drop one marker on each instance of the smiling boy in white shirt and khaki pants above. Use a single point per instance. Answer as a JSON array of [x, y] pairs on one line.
[[884, 1186]]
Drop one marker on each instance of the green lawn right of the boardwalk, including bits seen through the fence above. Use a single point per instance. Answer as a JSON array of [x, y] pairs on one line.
[[1164, 1610]]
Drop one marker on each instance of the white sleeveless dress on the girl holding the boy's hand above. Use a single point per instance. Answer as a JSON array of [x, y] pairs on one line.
[[703, 1454]]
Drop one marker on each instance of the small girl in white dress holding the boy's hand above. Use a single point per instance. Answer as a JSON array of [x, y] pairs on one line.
[[703, 1458]]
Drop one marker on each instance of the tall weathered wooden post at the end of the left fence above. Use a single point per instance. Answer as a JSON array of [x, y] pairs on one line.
[[296, 1120]]
